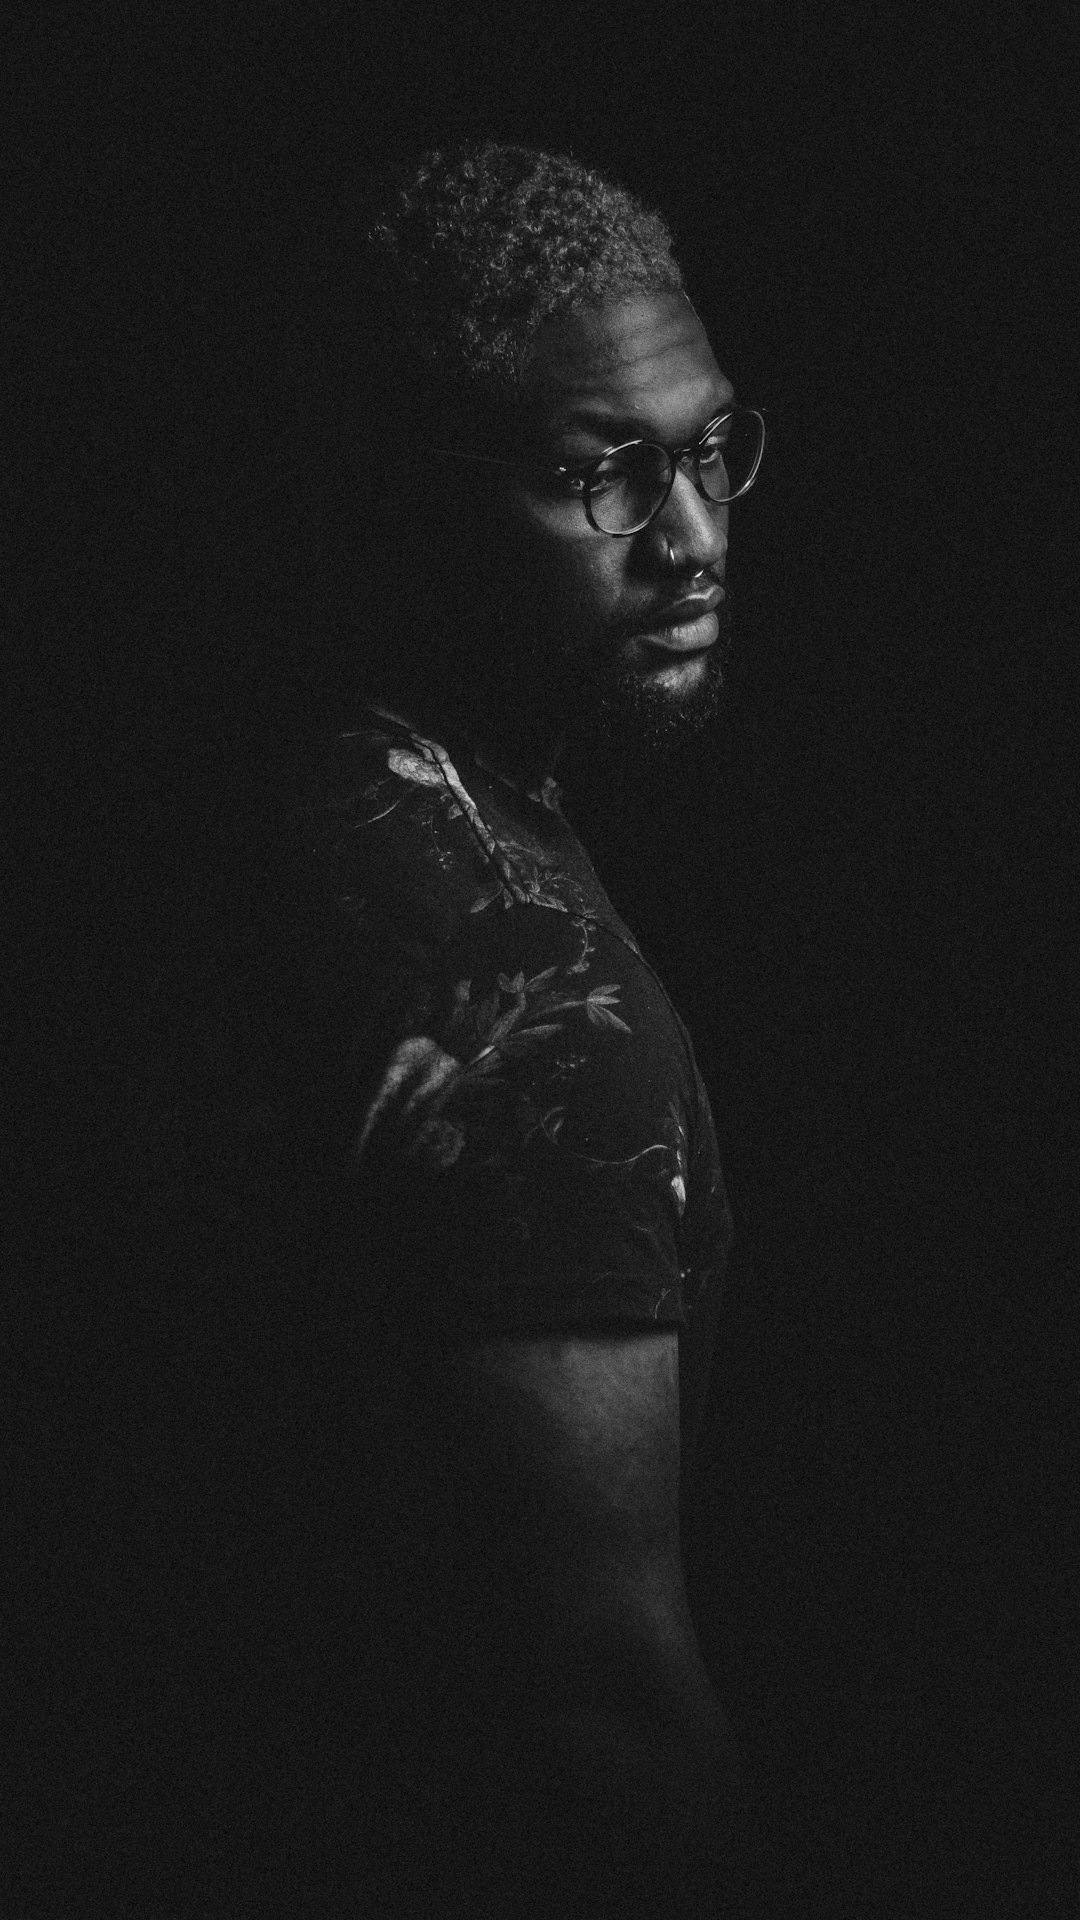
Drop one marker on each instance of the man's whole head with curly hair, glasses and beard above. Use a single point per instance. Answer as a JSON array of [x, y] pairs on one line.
[[533, 314]]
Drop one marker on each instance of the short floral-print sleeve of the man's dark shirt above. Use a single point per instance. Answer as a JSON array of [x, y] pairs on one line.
[[524, 1151]]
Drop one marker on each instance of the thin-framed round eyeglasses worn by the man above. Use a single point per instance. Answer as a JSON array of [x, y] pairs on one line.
[[627, 487]]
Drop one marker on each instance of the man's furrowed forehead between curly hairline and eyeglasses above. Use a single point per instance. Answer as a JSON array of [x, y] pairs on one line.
[[635, 366]]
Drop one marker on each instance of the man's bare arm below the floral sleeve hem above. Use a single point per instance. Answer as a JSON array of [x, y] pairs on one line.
[[631, 1765]]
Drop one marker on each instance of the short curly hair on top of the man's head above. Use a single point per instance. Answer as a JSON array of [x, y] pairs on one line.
[[479, 245]]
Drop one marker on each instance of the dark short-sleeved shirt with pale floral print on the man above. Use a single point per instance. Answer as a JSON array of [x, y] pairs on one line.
[[531, 1143]]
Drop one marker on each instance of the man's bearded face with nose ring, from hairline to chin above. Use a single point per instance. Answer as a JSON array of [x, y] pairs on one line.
[[612, 642]]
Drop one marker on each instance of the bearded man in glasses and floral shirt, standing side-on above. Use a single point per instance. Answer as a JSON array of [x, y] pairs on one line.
[[529, 1226]]
